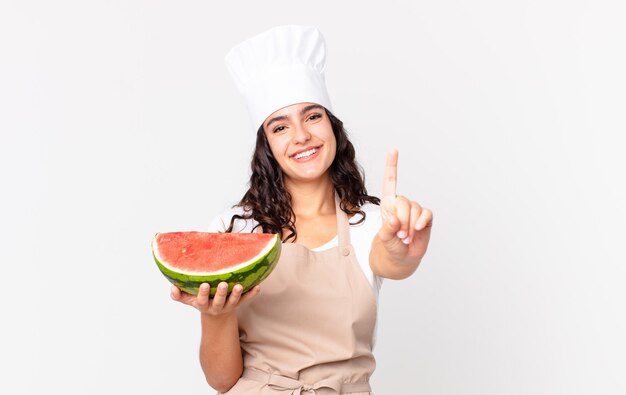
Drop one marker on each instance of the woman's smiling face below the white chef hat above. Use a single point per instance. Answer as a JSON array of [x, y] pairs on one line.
[[302, 141]]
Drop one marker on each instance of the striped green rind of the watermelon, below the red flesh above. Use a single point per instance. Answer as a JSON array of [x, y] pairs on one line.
[[190, 283]]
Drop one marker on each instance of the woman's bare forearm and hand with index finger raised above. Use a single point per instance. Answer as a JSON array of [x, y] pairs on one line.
[[401, 242]]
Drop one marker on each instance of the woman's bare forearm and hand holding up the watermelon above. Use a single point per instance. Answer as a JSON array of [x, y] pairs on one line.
[[220, 352]]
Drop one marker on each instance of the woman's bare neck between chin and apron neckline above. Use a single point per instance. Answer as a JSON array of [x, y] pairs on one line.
[[312, 198]]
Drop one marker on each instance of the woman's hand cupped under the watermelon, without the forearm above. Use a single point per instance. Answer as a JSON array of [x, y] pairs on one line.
[[221, 304]]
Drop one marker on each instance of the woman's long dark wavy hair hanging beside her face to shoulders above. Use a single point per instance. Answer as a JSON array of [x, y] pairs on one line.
[[269, 203]]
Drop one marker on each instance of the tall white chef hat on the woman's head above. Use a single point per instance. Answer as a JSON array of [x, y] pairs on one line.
[[278, 68]]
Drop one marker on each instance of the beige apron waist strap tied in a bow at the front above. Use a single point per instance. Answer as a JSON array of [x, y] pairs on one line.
[[322, 387]]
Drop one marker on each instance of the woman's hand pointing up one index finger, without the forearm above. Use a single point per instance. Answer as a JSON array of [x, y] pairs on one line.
[[405, 231]]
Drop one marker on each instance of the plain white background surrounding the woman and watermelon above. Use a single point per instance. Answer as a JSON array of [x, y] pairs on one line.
[[118, 120]]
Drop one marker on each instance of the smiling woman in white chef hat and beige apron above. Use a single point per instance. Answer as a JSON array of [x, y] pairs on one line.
[[312, 327]]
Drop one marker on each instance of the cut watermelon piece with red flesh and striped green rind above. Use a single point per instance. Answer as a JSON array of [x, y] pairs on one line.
[[188, 259]]
